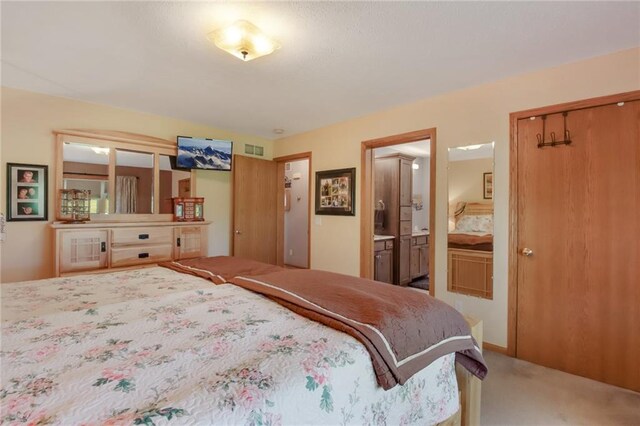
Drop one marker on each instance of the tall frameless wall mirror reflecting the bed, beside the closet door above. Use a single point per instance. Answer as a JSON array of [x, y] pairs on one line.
[[470, 219]]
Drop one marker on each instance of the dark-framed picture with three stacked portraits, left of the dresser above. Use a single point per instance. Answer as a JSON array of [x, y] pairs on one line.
[[27, 196]]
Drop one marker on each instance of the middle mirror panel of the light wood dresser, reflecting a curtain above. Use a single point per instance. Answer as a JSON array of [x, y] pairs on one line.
[[134, 182]]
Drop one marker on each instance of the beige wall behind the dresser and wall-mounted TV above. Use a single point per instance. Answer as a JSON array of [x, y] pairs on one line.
[[27, 121]]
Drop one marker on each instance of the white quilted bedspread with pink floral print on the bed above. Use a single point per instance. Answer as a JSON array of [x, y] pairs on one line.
[[157, 346]]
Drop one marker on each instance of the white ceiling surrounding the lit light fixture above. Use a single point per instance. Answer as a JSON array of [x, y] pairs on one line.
[[338, 59]]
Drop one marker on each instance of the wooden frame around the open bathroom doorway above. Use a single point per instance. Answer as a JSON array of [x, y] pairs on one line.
[[366, 197]]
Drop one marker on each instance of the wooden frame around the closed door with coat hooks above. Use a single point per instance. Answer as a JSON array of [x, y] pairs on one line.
[[512, 296]]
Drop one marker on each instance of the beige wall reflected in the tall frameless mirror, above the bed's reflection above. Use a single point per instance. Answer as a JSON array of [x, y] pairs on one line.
[[466, 180]]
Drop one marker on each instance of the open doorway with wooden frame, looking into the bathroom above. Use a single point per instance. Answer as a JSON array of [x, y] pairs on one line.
[[398, 203]]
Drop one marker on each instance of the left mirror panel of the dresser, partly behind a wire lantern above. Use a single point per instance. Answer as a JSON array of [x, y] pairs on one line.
[[86, 167]]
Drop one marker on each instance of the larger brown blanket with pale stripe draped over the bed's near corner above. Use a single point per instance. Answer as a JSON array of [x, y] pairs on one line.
[[404, 330]]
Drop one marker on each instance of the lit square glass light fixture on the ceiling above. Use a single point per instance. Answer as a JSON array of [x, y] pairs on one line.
[[243, 40]]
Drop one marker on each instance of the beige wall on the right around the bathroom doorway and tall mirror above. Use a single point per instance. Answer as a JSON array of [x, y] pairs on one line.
[[475, 115]]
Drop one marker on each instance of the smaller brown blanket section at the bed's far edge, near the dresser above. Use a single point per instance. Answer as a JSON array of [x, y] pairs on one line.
[[220, 269]]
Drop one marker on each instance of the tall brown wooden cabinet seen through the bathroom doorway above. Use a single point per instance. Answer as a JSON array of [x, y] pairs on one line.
[[393, 186]]
